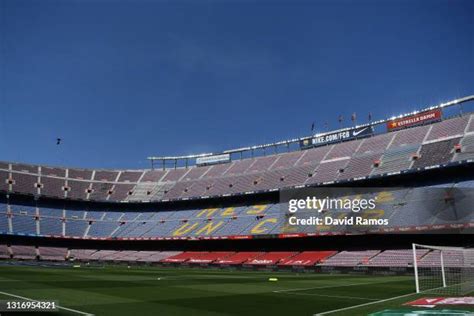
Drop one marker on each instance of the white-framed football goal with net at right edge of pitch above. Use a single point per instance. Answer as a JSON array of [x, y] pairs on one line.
[[443, 270]]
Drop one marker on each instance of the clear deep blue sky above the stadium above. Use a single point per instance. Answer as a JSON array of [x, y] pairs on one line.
[[122, 80]]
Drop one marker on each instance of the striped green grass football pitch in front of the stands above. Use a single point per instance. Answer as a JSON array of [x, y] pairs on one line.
[[113, 290]]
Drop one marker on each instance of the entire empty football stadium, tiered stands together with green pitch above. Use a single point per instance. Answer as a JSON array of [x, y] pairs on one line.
[[215, 223]]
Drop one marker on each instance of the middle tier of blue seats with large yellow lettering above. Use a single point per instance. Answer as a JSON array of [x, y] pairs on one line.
[[407, 208]]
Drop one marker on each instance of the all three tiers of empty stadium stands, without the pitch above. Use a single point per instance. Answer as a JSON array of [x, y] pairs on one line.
[[93, 206]]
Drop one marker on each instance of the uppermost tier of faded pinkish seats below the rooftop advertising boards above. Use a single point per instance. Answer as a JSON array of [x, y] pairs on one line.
[[414, 148]]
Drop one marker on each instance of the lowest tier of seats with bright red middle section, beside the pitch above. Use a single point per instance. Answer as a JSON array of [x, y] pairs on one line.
[[402, 258]]
